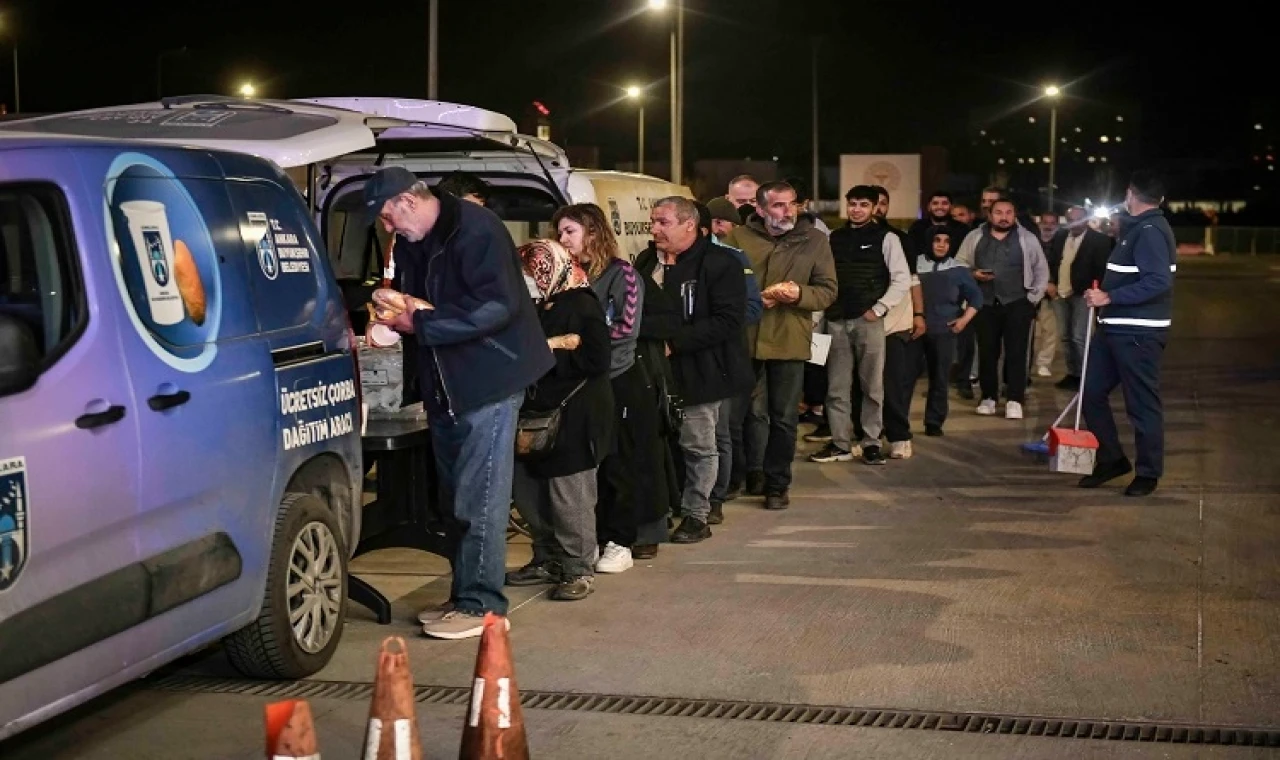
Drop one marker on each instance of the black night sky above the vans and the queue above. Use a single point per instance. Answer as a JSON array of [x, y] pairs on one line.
[[894, 76]]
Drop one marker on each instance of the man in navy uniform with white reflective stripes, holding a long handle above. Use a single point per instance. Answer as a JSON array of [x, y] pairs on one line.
[[1137, 309]]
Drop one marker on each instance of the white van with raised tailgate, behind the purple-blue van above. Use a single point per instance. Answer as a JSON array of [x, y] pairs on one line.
[[528, 178]]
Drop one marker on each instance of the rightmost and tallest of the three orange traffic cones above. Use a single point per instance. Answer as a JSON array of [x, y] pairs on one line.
[[496, 726]]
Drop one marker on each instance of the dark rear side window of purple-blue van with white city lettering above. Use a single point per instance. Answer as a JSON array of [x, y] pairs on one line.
[[285, 271]]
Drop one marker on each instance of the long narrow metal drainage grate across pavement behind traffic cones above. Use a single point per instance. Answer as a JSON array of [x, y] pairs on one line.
[[1127, 731]]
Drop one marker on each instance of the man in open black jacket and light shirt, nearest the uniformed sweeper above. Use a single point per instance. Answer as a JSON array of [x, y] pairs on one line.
[[1077, 259]]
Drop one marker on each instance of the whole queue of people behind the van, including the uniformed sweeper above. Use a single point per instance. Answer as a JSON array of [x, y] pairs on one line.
[[643, 397]]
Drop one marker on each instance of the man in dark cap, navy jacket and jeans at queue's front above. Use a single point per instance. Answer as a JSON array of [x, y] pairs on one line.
[[478, 346]]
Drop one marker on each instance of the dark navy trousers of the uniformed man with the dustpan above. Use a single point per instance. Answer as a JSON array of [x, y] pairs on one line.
[[1131, 361]]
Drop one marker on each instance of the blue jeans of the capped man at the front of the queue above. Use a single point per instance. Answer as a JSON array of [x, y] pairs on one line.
[[476, 456]]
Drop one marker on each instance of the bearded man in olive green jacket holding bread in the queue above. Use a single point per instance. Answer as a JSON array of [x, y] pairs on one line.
[[798, 277]]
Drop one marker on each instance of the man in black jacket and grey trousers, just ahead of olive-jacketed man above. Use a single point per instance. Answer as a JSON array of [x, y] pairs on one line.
[[708, 356]]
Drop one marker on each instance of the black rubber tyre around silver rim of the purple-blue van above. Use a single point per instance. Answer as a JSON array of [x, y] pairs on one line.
[[268, 647]]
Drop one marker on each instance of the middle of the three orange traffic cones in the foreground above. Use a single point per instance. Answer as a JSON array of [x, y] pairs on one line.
[[392, 718]]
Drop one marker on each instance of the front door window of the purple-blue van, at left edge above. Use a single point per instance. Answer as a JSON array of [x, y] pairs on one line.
[[39, 277]]
